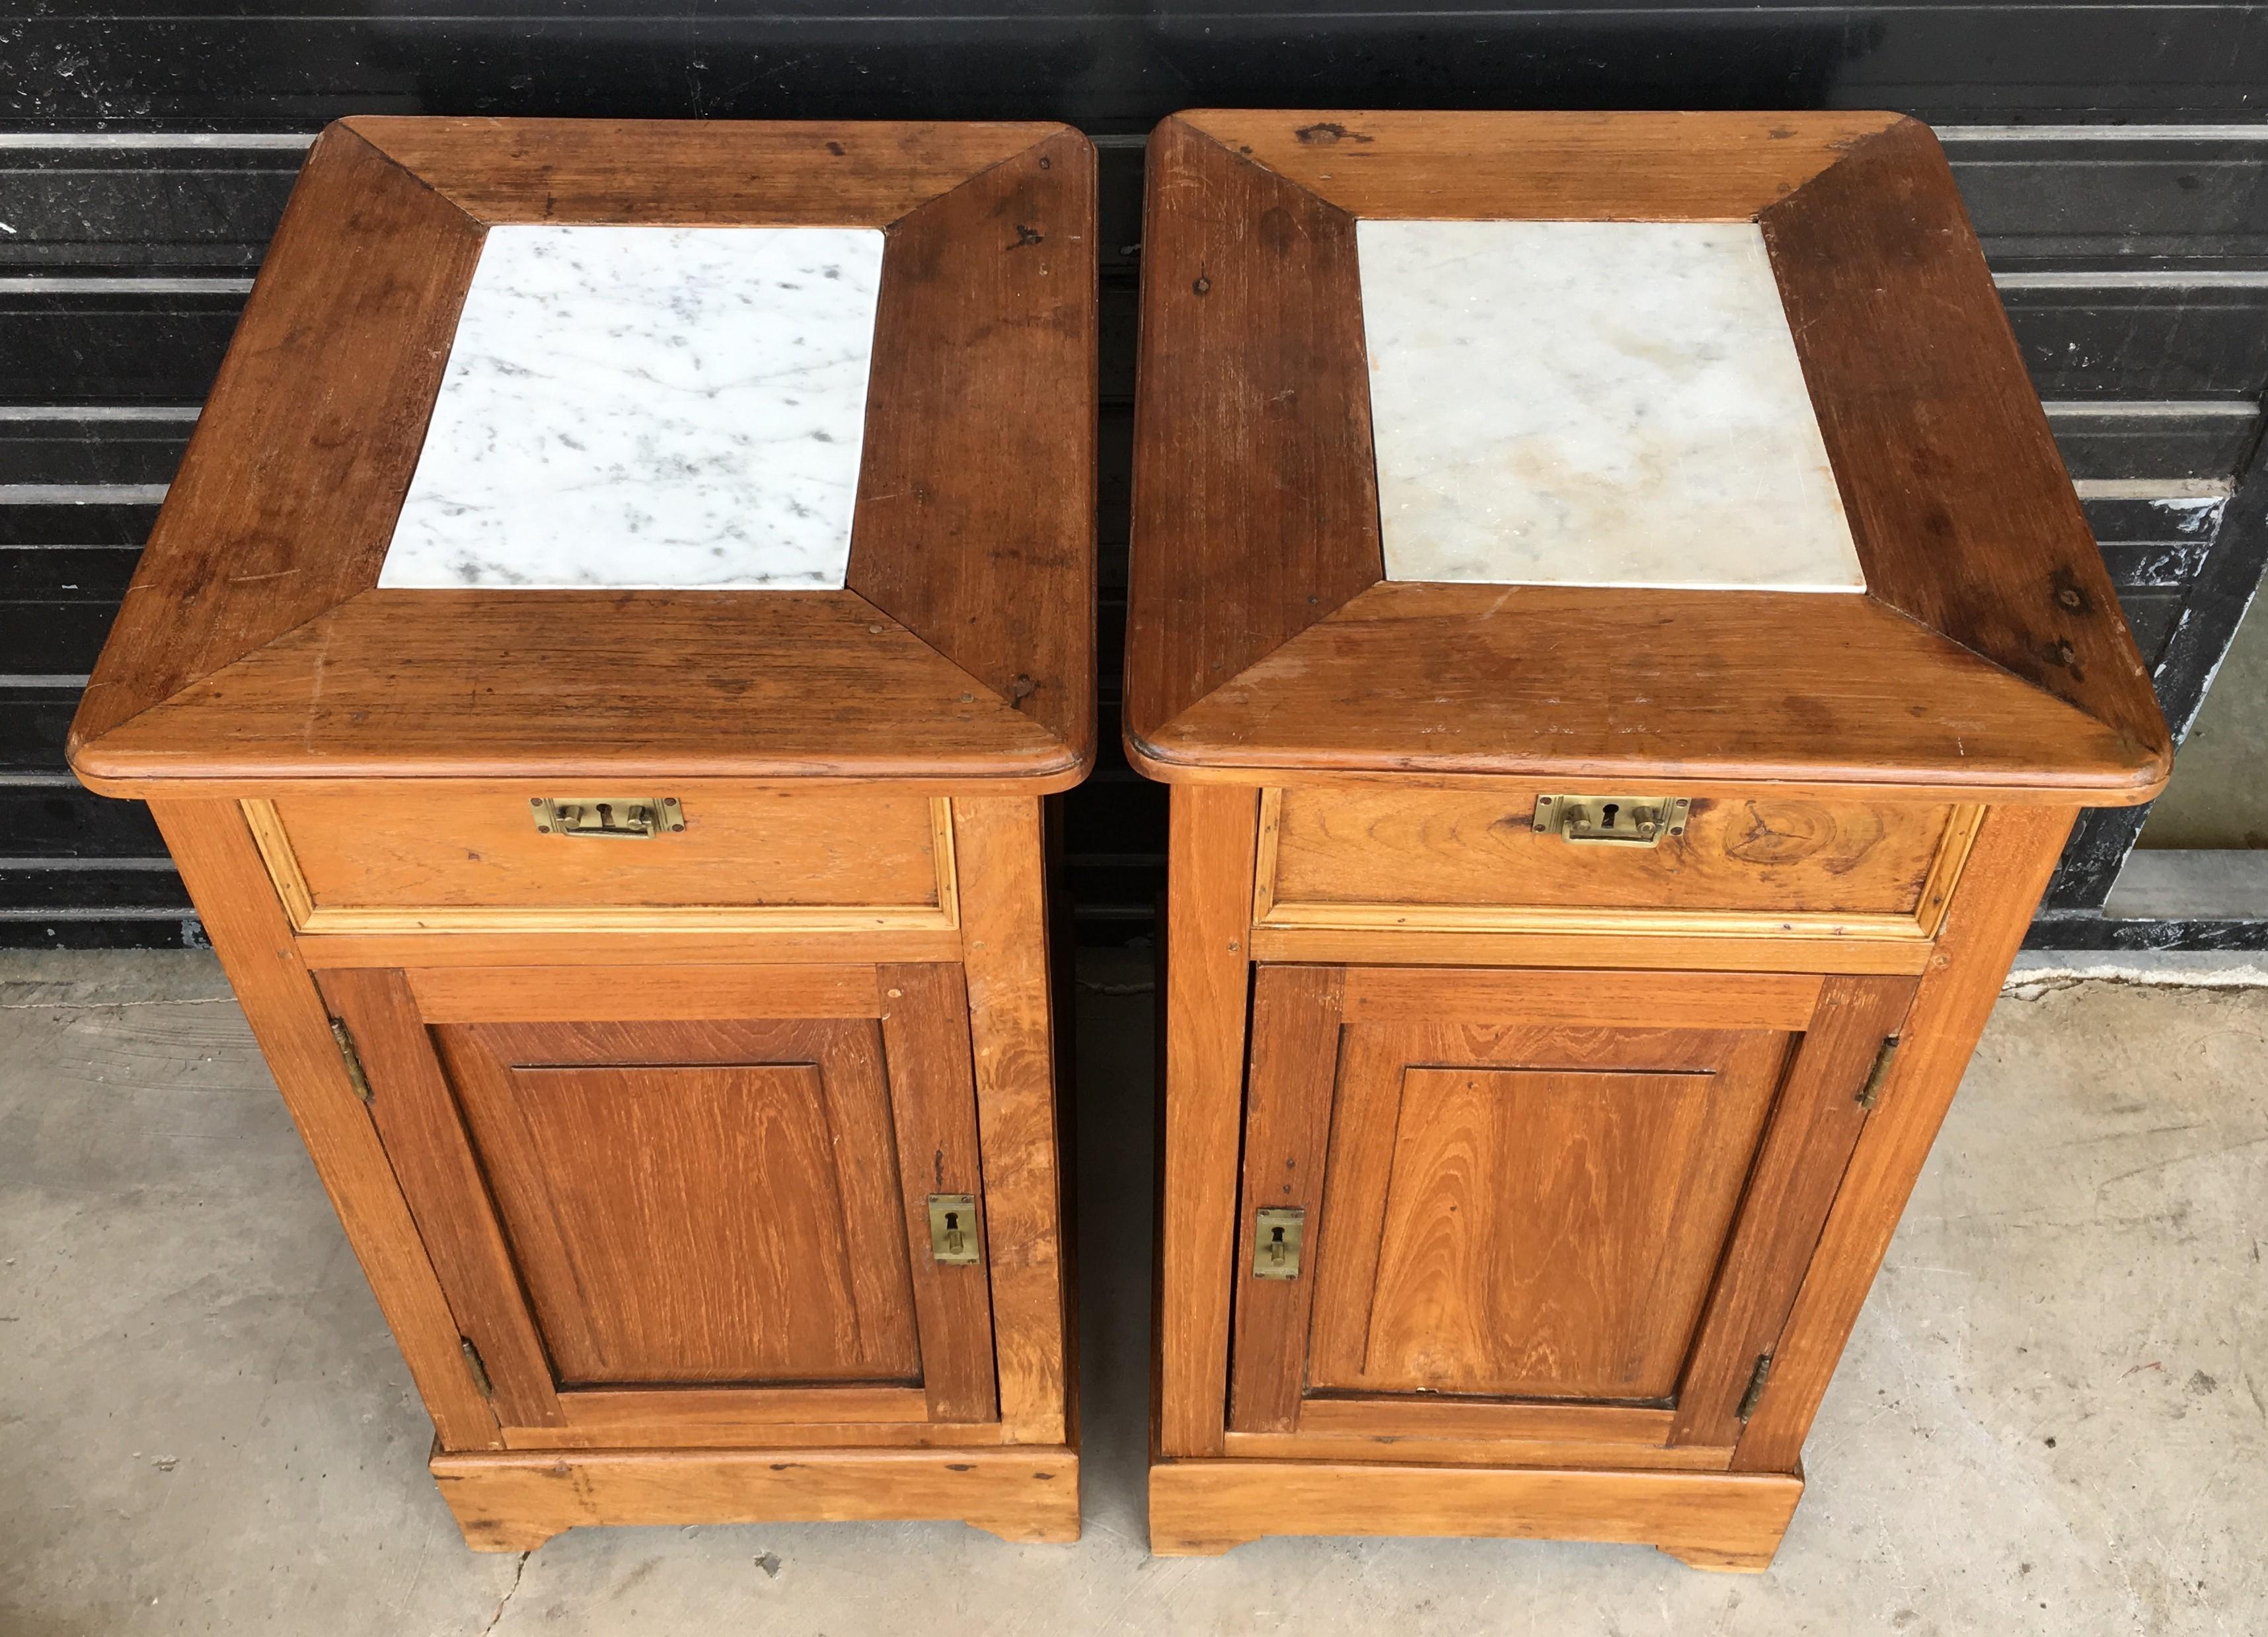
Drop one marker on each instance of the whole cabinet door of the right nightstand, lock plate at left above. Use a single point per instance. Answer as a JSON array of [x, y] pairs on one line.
[[1537, 1205]]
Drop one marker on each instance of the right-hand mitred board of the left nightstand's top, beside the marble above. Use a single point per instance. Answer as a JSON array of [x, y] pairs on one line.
[[976, 516]]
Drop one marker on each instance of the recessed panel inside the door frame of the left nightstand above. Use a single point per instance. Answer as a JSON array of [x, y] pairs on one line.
[[700, 1223]]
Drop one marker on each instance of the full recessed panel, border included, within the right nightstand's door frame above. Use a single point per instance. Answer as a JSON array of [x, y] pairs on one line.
[[1530, 1214]]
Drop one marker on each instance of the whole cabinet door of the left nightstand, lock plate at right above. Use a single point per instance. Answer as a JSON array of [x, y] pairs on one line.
[[691, 1205]]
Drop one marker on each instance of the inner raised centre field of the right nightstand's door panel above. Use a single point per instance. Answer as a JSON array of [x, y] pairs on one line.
[[1548, 1232]]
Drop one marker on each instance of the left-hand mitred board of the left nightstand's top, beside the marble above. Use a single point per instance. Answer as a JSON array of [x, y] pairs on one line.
[[332, 371]]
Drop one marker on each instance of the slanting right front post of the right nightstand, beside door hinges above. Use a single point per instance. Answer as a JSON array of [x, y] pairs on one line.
[[2008, 870]]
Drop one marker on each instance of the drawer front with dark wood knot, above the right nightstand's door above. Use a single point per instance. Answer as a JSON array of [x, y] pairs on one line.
[[1475, 863]]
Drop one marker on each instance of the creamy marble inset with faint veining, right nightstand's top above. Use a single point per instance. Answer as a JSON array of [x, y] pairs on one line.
[[1593, 405]]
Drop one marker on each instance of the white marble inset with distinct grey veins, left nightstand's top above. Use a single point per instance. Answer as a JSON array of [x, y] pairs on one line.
[[648, 407]]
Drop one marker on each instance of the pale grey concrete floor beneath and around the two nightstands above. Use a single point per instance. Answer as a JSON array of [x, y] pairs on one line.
[[2054, 1416]]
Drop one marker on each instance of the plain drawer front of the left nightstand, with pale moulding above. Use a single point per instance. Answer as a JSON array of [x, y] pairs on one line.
[[480, 865]]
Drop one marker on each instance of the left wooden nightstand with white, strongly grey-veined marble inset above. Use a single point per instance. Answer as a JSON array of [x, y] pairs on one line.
[[600, 672]]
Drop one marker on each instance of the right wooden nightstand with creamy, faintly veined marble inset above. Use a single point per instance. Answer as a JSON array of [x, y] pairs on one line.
[[1627, 659]]
